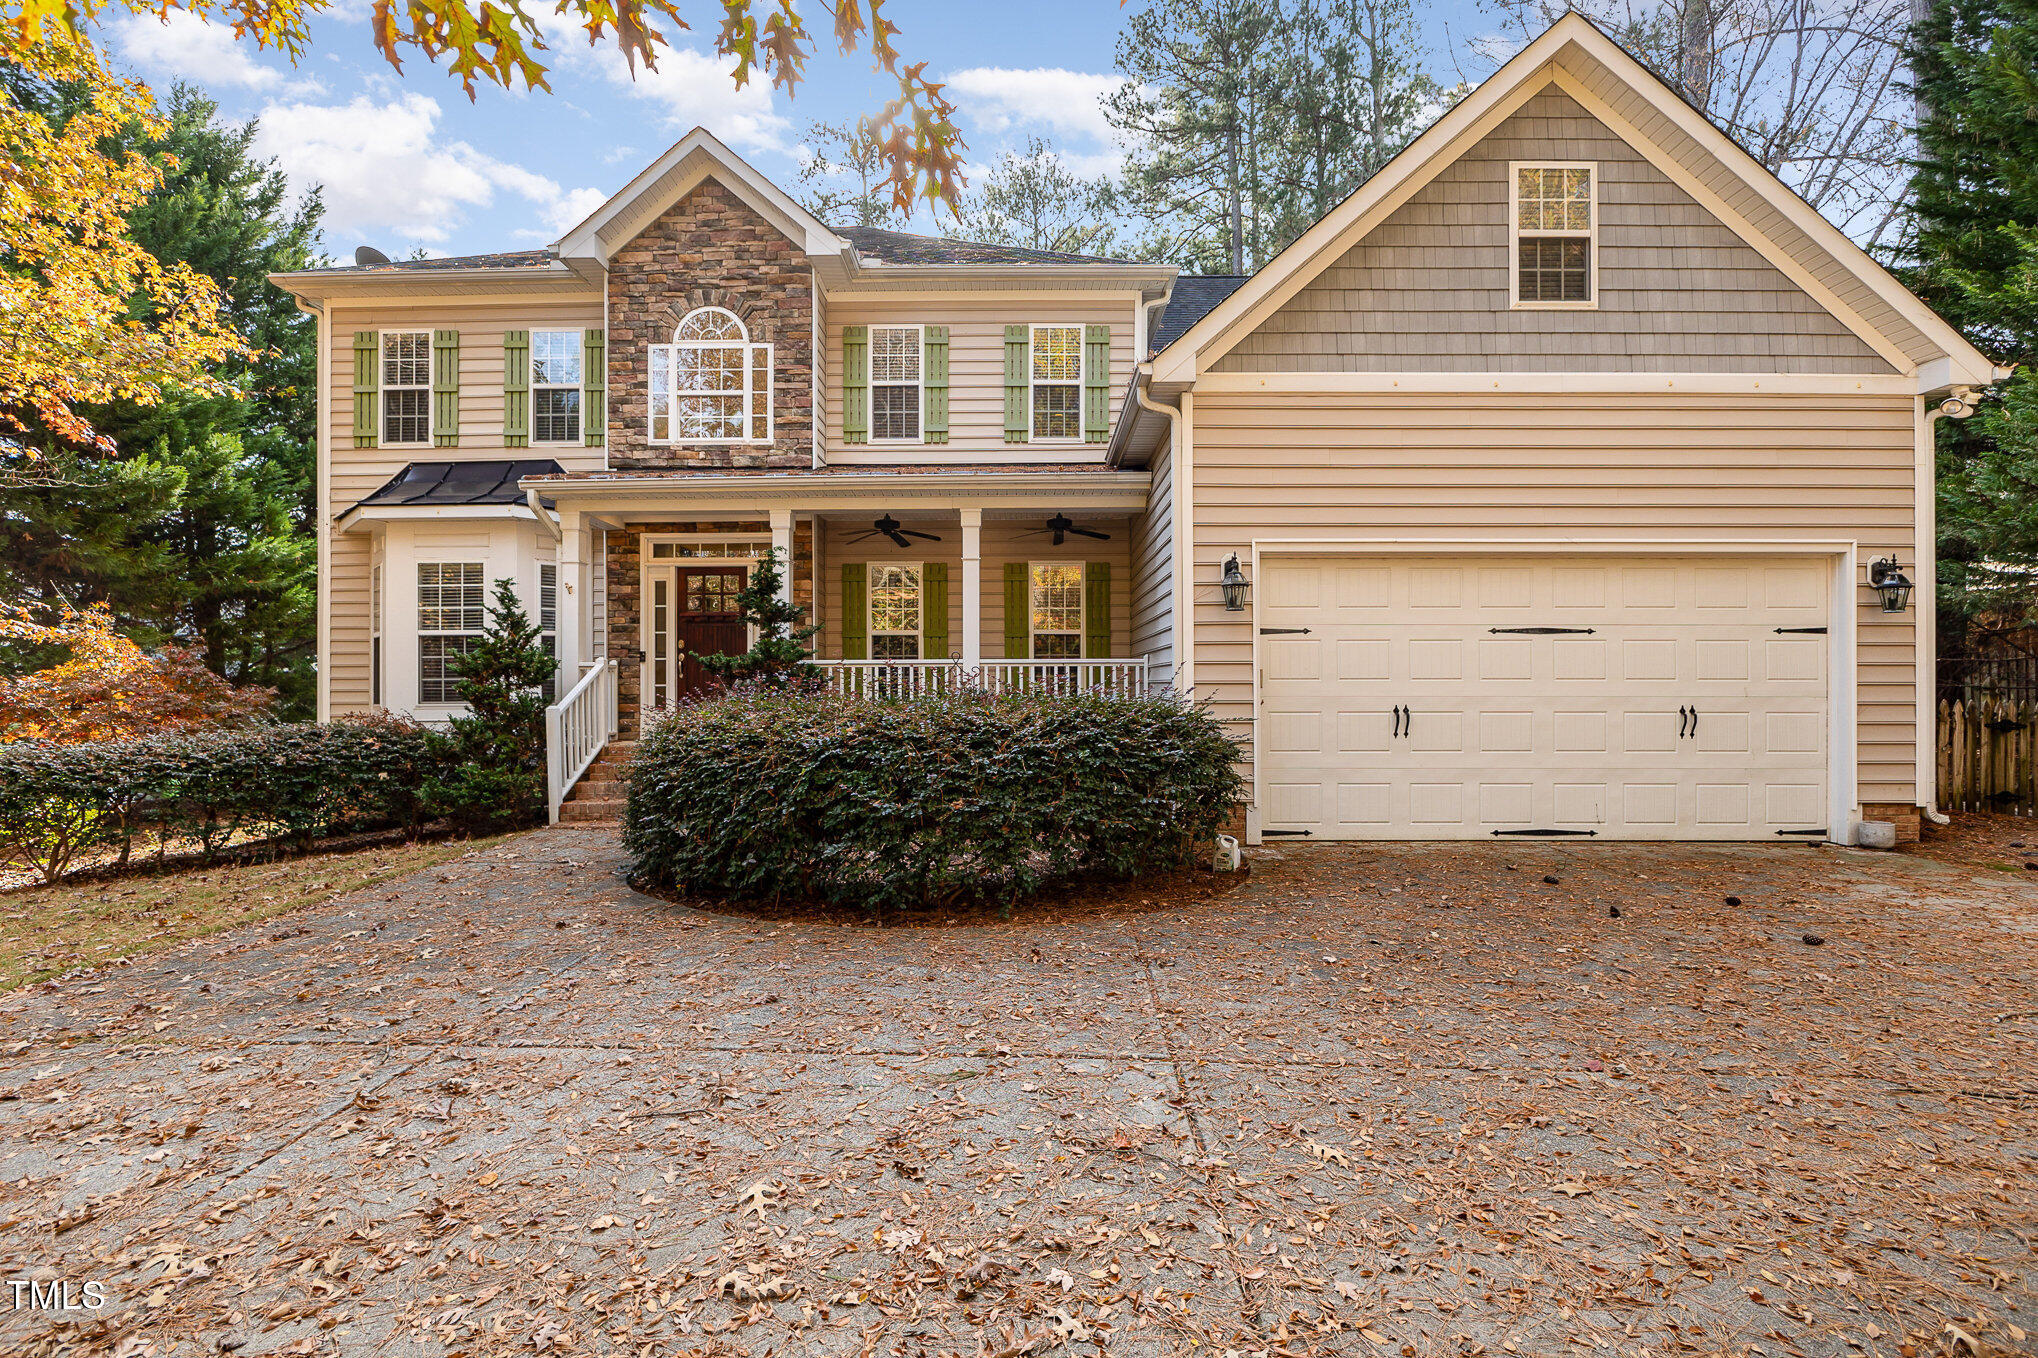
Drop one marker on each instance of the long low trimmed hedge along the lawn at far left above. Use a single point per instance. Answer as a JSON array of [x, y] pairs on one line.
[[301, 782]]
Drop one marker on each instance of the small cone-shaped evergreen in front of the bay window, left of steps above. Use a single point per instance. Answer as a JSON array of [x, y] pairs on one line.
[[492, 762]]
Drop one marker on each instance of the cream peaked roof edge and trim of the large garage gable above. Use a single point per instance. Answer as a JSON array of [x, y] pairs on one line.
[[1707, 164]]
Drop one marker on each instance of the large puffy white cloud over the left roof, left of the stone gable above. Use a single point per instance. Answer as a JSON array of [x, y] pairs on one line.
[[390, 180]]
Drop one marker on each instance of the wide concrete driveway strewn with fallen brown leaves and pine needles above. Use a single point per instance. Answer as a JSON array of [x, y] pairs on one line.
[[1381, 1100]]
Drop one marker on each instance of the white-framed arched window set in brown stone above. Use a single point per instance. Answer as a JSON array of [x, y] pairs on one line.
[[710, 384]]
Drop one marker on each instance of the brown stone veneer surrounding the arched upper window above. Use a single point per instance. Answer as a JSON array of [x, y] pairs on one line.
[[710, 250]]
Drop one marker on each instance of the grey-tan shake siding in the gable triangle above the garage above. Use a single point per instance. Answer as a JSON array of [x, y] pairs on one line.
[[1428, 291]]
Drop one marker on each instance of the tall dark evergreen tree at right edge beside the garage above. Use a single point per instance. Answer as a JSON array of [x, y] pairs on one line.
[[1974, 256]]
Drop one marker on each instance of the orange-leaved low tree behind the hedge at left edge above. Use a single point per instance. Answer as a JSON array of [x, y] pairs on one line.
[[107, 688]]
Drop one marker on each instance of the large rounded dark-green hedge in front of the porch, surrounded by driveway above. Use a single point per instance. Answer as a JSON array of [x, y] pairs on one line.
[[926, 800]]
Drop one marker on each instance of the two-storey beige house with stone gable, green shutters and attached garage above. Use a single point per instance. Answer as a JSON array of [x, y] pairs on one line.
[[1556, 482]]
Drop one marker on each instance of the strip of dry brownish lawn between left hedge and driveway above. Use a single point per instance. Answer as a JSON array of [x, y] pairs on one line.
[[50, 931]]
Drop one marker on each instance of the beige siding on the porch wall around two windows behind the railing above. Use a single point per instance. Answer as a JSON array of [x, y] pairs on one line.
[[1004, 539]]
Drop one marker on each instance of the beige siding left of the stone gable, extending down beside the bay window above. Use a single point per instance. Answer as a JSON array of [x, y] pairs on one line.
[[360, 472]]
